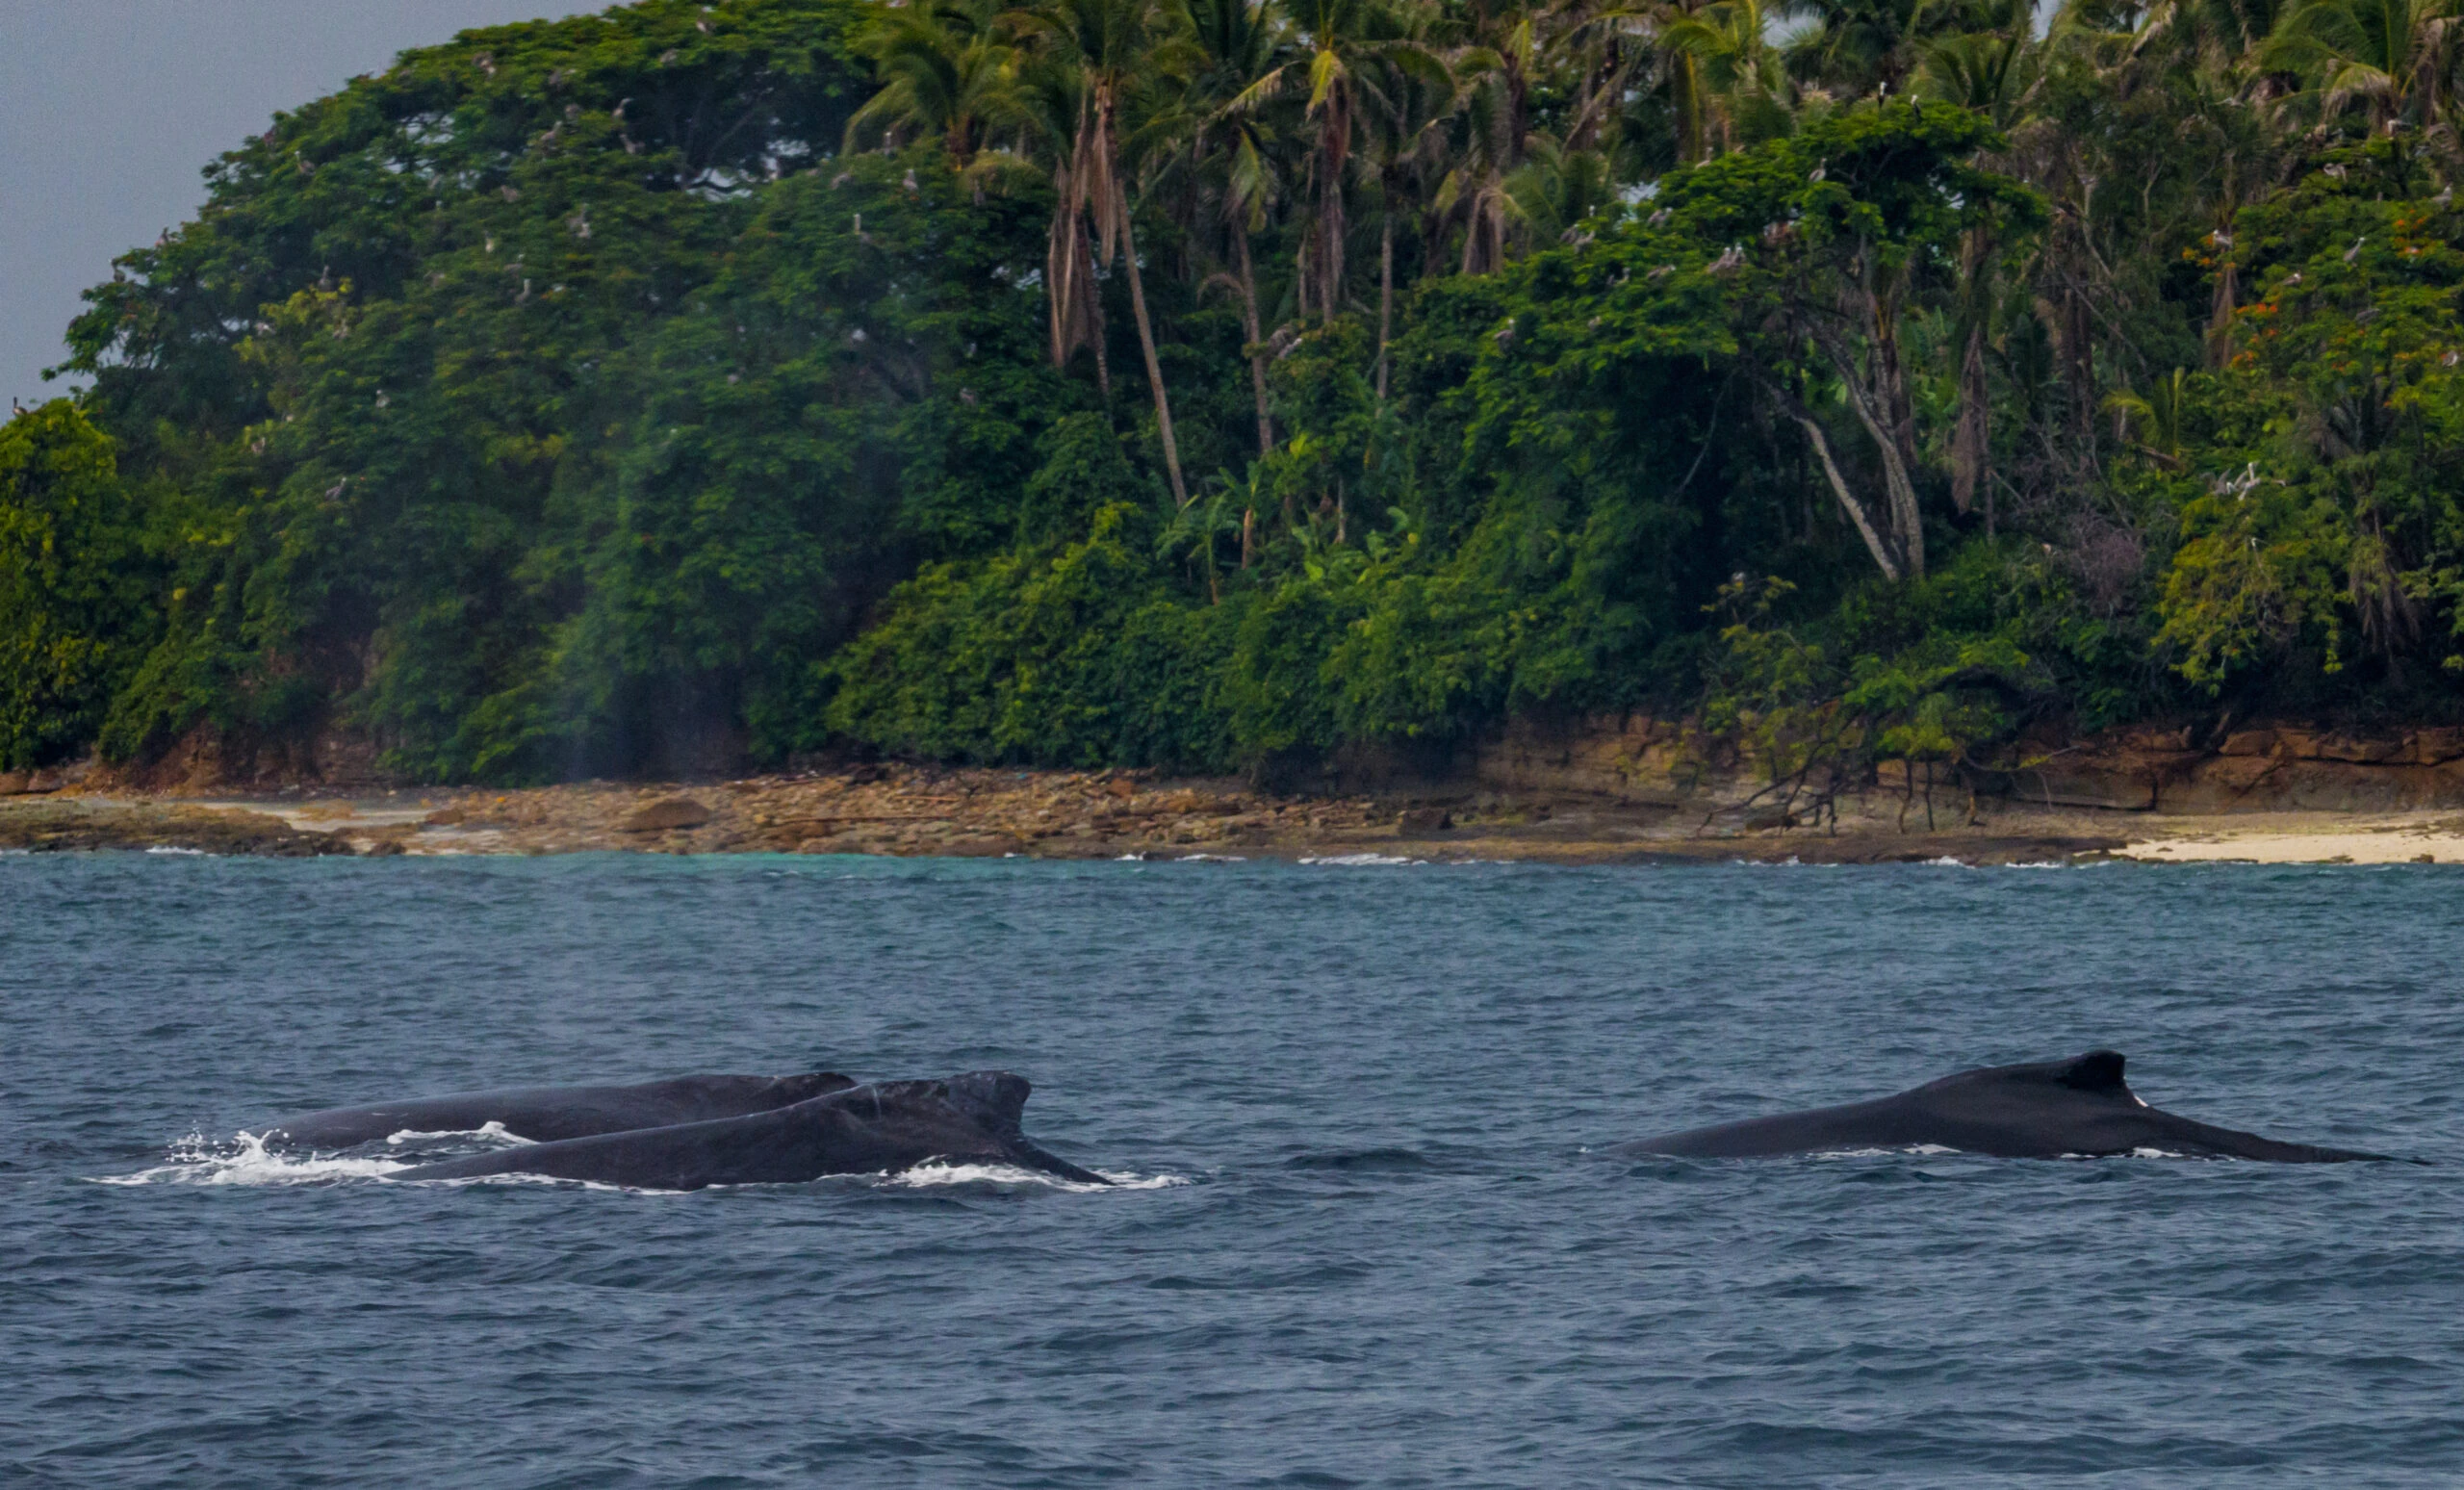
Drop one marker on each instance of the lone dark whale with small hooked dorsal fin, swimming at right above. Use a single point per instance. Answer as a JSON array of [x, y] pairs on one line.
[[2034, 1112]]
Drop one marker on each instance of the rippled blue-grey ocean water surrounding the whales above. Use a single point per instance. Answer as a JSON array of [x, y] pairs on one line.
[[1366, 1238]]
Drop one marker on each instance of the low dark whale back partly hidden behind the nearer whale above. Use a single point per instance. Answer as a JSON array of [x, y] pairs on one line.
[[546, 1114]]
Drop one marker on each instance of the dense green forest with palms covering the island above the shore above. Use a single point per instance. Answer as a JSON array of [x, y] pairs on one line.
[[1206, 383]]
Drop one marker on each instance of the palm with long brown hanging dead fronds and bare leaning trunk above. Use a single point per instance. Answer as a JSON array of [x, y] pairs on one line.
[[1112, 48]]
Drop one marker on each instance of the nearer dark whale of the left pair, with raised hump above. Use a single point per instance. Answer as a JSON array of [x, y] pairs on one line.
[[859, 1132]]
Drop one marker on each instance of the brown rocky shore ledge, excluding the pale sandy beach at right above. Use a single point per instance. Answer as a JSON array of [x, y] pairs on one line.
[[989, 814]]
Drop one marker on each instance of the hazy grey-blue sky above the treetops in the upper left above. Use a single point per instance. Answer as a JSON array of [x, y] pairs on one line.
[[110, 112]]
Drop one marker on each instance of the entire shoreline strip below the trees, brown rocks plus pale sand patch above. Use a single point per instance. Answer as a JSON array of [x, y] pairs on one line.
[[1529, 807]]
